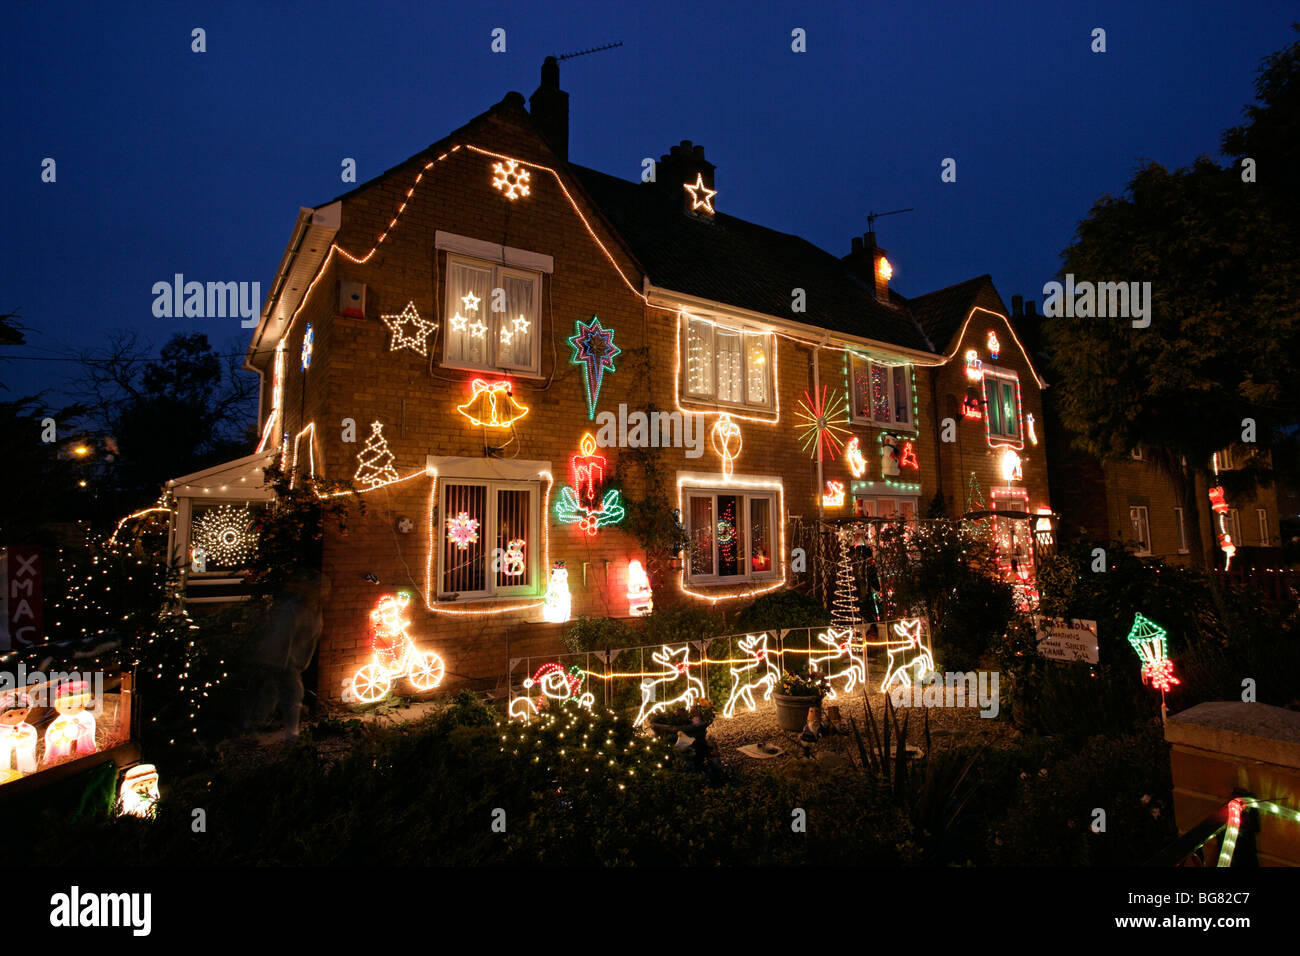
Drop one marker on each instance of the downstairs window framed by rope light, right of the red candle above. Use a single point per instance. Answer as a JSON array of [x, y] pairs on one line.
[[733, 537]]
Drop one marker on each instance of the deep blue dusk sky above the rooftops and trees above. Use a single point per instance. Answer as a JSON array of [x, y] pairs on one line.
[[197, 163]]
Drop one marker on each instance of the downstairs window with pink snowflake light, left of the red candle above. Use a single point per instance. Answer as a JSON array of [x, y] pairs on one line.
[[488, 539]]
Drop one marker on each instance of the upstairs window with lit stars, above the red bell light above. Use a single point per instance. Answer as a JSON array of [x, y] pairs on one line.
[[478, 338]]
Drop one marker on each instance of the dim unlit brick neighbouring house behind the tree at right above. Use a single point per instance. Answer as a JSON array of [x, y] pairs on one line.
[[1136, 501]]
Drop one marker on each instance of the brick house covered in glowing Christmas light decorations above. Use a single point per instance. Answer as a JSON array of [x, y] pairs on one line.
[[492, 341]]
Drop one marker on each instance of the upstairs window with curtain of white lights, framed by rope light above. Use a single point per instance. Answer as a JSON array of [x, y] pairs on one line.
[[727, 366]]
